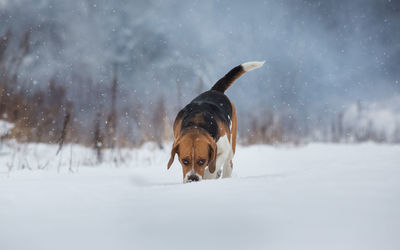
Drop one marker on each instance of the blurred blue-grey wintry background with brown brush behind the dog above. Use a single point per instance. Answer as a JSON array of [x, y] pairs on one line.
[[115, 73]]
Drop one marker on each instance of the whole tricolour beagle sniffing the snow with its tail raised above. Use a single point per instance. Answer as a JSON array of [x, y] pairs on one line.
[[205, 131]]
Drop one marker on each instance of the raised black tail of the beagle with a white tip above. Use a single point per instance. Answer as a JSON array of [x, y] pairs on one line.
[[225, 82]]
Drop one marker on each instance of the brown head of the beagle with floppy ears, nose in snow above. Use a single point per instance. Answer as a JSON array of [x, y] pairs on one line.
[[196, 150]]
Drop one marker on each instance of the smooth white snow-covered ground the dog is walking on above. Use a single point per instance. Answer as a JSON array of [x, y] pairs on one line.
[[319, 196]]
